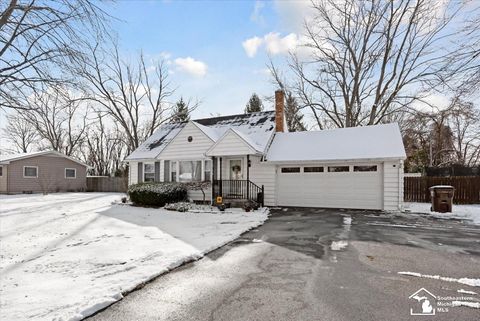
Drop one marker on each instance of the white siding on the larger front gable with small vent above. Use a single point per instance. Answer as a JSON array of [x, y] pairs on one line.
[[181, 149]]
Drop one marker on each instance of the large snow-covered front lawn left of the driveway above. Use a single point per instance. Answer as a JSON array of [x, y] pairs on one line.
[[65, 256]]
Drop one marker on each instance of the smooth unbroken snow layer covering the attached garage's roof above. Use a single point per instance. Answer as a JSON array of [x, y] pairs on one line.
[[369, 142]]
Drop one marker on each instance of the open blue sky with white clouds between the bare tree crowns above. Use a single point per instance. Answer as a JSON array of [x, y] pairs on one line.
[[202, 43]]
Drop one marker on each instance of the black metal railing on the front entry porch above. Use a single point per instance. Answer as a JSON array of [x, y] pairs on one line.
[[238, 189]]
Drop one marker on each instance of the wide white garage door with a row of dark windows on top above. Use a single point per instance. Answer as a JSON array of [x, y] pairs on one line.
[[336, 186]]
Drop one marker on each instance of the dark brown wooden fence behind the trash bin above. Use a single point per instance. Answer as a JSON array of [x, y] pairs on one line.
[[467, 188]]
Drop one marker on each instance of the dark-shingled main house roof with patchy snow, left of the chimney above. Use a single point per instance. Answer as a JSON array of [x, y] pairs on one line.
[[255, 128]]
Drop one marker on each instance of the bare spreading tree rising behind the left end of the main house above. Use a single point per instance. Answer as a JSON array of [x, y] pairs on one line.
[[133, 95]]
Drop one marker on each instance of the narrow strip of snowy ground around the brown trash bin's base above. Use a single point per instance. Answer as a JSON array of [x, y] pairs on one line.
[[464, 212]]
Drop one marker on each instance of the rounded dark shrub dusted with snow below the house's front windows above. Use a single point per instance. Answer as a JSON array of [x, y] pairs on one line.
[[156, 194]]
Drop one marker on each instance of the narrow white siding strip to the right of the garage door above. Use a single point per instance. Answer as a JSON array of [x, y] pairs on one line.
[[392, 186]]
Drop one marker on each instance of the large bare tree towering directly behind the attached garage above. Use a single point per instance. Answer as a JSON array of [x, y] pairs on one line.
[[368, 59]]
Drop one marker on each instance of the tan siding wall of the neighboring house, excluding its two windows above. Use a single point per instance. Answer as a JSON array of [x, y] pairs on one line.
[[51, 175]]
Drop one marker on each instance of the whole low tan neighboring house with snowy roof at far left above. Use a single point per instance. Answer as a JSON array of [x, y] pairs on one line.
[[39, 172]]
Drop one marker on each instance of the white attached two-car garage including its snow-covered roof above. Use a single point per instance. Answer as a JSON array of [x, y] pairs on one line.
[[356, 168]]
